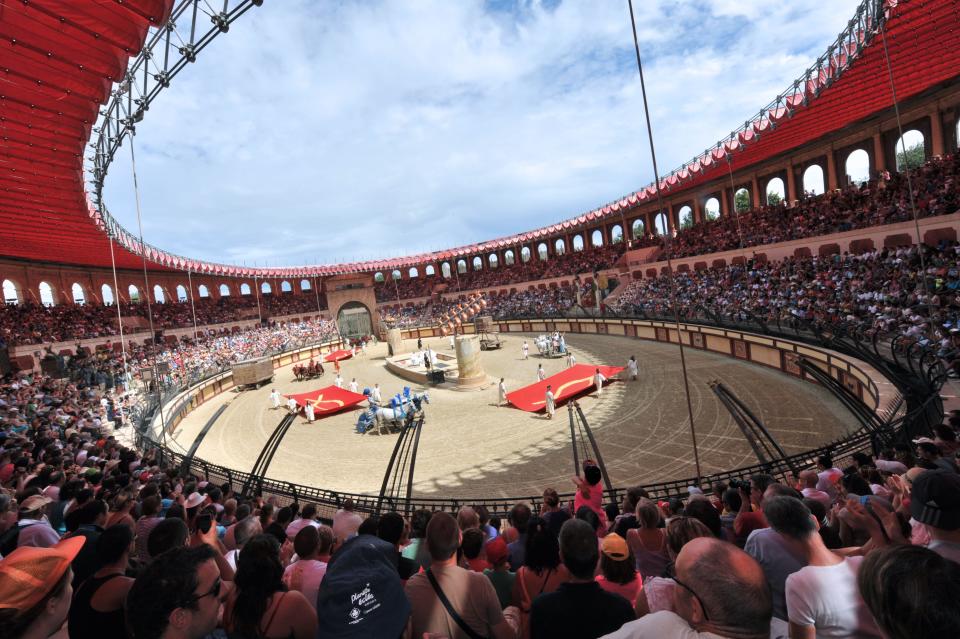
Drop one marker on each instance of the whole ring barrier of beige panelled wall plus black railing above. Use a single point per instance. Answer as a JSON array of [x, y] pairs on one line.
[[892, 386]]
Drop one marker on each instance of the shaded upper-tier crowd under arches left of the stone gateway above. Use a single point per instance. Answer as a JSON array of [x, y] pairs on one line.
[[31, 323]]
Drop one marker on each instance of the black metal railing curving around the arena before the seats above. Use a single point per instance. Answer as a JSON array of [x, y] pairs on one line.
[[917, 377]]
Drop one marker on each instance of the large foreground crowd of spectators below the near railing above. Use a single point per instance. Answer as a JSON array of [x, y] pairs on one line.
[[99, 540]]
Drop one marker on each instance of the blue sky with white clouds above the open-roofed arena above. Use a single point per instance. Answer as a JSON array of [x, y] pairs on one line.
[[319, 132]]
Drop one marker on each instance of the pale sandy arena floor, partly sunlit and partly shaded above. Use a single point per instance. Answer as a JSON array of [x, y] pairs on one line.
[[469, 447]]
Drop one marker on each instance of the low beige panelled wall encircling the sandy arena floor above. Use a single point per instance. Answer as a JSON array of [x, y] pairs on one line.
[[878, 394]]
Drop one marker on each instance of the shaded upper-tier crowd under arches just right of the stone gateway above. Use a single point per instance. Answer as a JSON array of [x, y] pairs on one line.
[[570, 263]]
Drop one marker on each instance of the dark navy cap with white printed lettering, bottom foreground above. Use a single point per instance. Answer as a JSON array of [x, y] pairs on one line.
[[362, 595]]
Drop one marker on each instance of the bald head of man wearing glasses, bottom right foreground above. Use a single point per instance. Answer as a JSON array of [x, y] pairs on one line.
[[733, 591]]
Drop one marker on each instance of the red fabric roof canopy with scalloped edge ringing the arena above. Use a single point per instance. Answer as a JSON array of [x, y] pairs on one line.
[[60, 60]]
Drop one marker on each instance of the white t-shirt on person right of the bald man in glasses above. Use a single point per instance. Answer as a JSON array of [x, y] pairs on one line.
[[827, 597]]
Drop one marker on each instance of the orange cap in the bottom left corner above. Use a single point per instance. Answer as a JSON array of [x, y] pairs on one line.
[[29, 574]]
